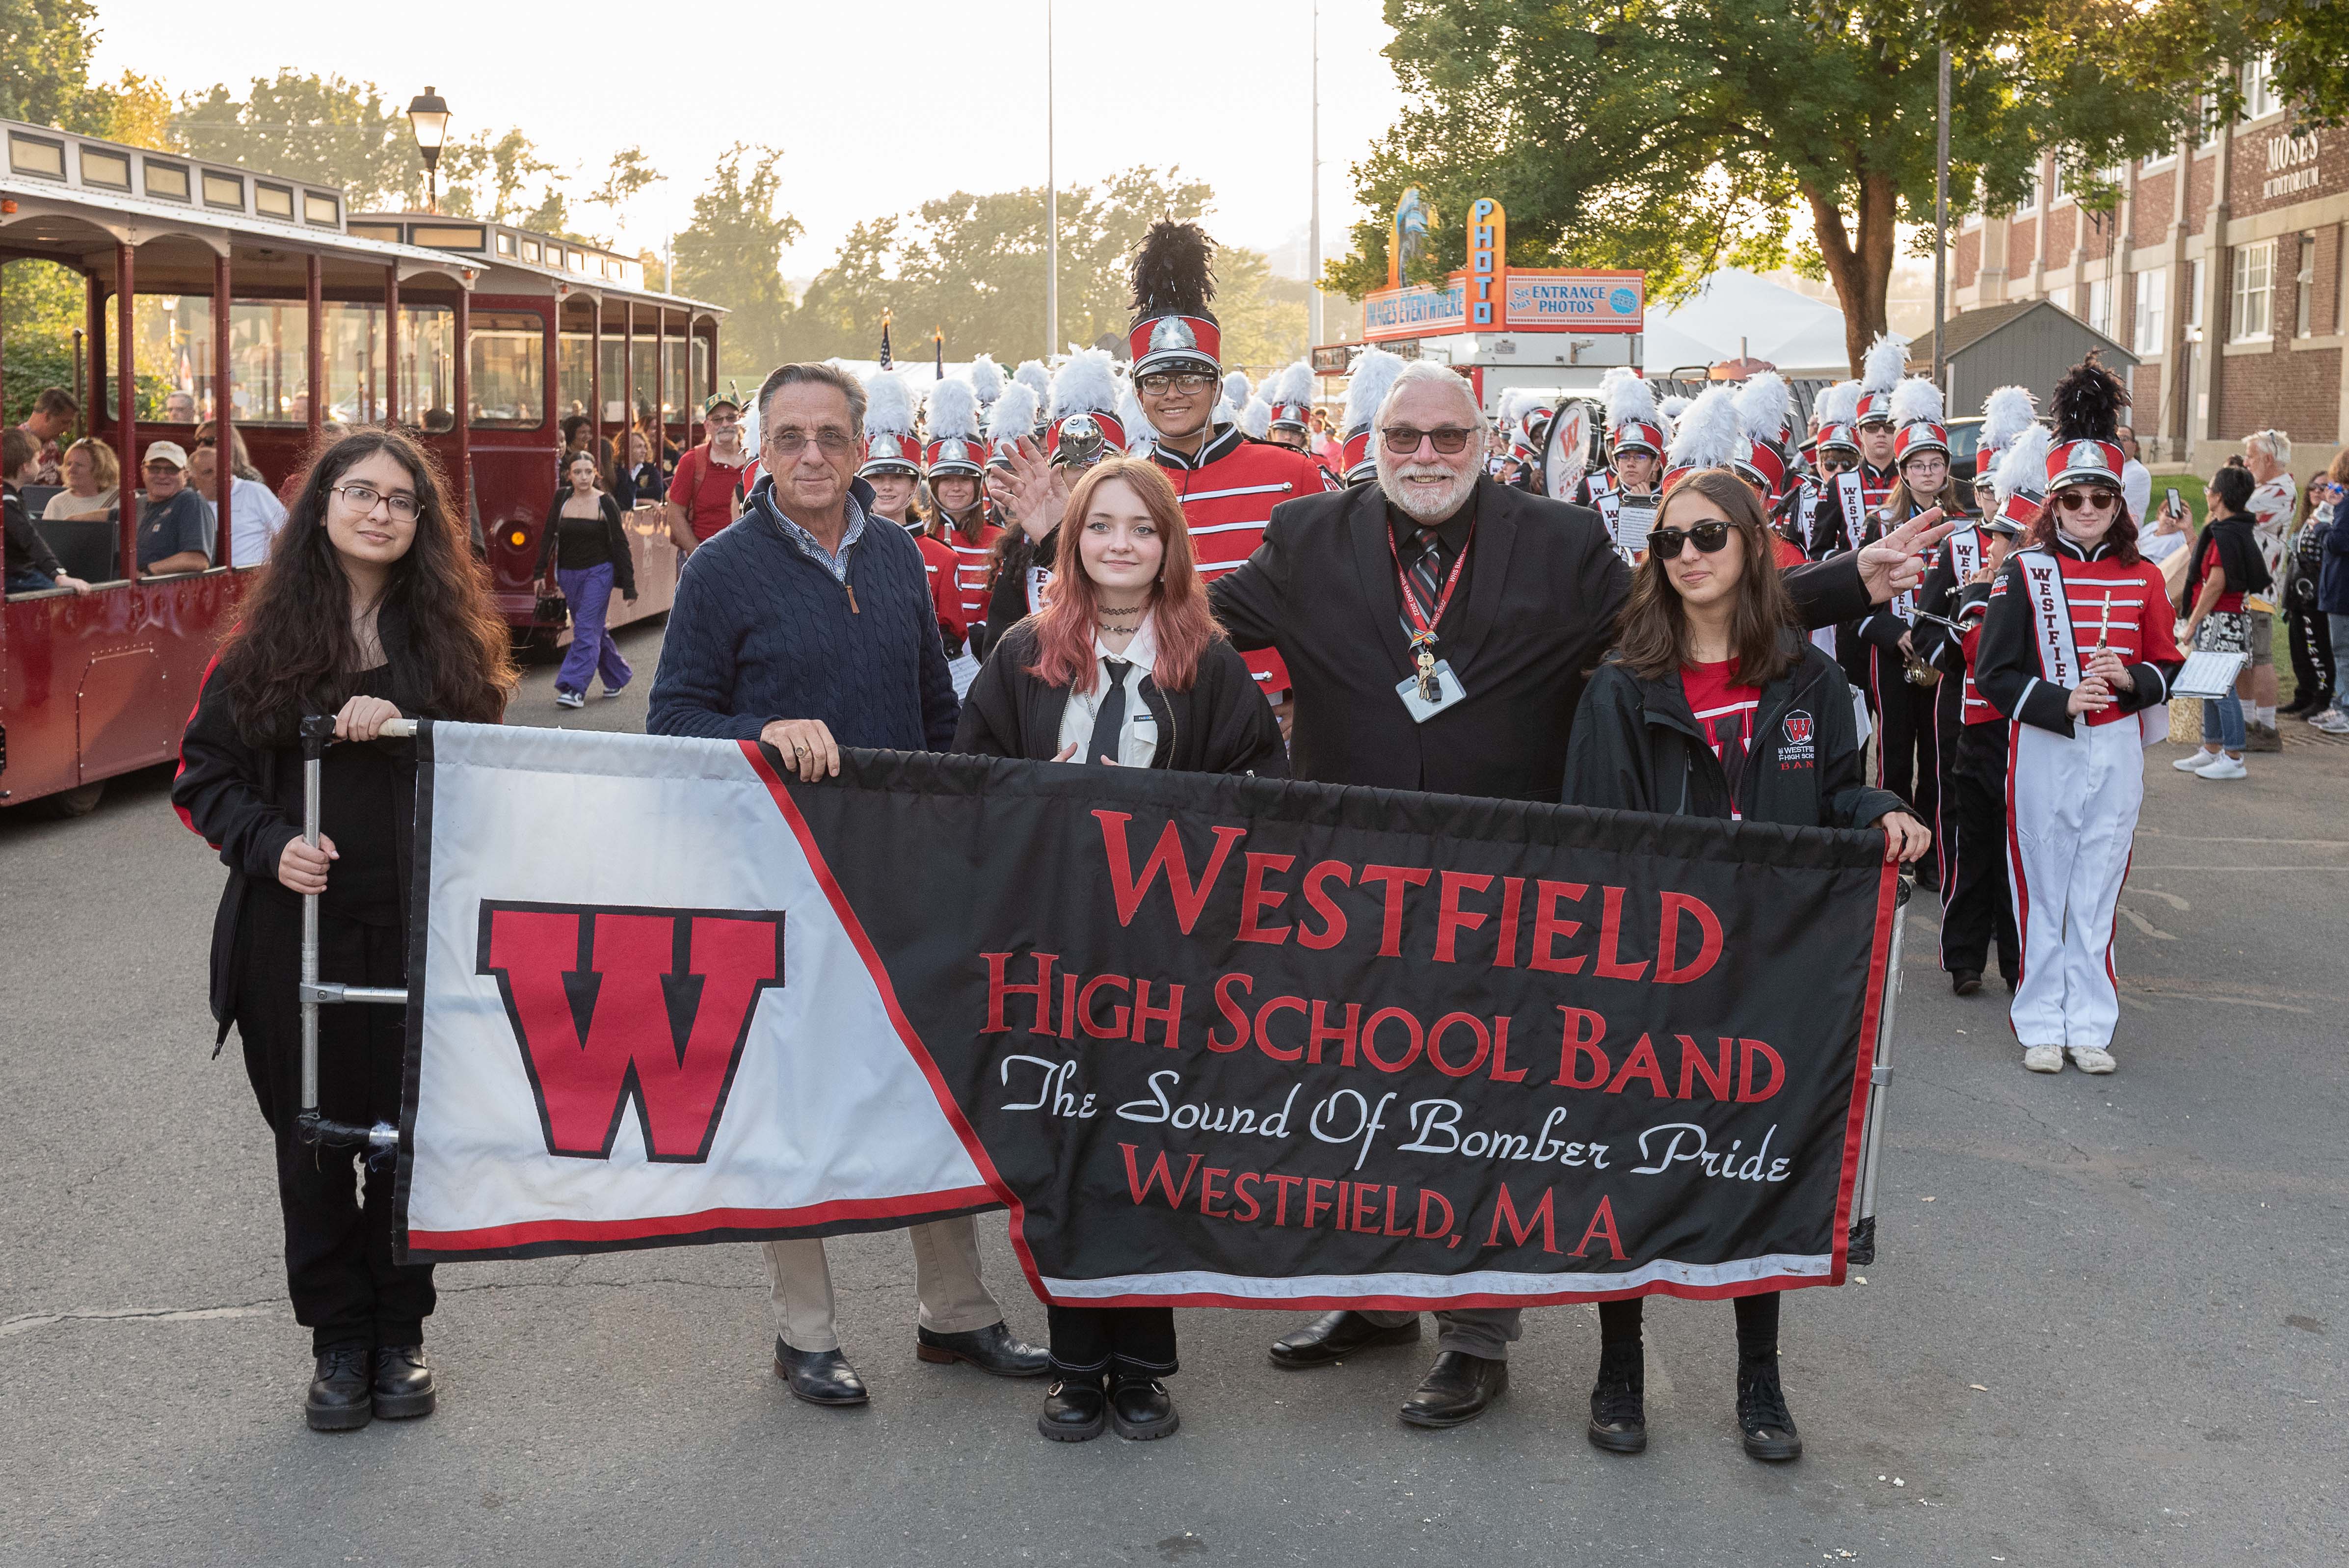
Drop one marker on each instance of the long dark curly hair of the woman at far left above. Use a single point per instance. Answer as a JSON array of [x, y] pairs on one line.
[[295, 651]]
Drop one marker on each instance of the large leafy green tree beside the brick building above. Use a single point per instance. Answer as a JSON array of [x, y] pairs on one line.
[[1690, 135]]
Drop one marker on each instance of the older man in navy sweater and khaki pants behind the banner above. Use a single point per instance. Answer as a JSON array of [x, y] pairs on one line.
[[812, 630]]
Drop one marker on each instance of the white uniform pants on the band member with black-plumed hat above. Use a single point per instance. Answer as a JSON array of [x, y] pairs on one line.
[[2071, 818]]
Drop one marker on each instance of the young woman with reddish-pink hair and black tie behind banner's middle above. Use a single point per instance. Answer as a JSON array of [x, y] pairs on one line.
[[1126, 668]]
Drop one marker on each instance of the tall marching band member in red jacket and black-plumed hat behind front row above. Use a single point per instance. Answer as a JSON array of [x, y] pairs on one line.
[[1227, 482]]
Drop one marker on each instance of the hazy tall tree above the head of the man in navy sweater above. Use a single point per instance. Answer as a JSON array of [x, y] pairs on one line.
[[732, 255]]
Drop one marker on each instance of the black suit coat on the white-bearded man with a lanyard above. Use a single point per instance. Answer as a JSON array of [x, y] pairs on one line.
[[1542, 595]]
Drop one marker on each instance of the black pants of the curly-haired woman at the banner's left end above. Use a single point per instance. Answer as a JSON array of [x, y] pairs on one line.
[[339, 1234]]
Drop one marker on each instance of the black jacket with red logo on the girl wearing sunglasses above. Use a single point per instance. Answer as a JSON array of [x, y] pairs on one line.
[[1638, 750]]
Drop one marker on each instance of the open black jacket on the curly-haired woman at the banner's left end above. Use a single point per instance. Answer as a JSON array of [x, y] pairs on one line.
[[248, 802]]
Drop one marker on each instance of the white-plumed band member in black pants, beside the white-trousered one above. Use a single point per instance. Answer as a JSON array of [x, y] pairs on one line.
[[1977, 910]]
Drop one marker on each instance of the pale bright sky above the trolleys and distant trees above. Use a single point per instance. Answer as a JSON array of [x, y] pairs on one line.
[[875, 107]]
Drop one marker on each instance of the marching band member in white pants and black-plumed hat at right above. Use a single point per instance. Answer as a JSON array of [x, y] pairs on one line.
[[2078, 769]]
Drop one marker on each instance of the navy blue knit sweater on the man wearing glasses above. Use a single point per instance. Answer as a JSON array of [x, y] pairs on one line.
[[765, 633]]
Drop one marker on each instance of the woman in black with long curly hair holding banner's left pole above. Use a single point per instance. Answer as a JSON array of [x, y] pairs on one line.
[[370, 611]]
